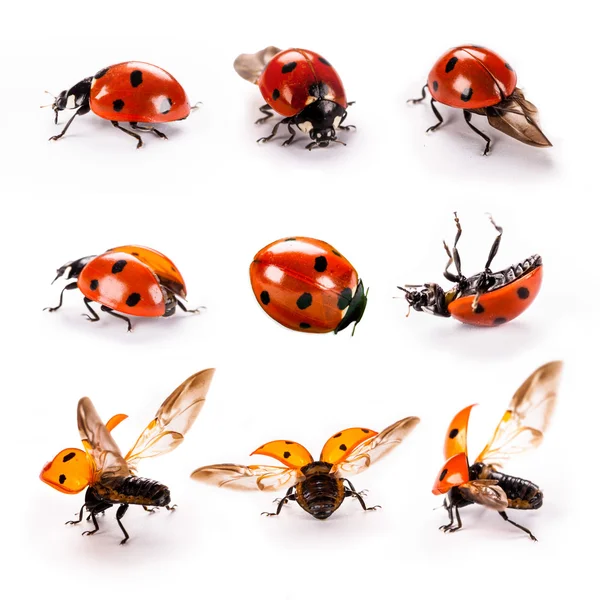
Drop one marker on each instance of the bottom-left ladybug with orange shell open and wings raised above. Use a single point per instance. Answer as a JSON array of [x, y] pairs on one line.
[[111, 478]]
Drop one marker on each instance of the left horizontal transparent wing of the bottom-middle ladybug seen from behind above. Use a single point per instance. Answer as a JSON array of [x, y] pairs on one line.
[[254, 477]]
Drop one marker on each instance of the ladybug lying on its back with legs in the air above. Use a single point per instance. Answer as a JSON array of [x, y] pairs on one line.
[[486, 299]]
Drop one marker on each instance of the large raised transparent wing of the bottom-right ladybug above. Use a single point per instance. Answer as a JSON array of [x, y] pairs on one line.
[[523, 425]]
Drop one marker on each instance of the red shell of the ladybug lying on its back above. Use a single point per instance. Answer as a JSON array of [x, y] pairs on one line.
[[501, 305]]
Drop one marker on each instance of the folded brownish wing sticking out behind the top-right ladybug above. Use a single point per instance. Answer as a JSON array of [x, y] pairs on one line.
[[517, 117]]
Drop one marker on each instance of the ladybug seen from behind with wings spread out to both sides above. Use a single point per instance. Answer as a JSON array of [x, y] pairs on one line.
[[318, 486]]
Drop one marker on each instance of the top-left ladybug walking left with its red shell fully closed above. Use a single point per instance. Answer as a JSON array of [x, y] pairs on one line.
[[134, 92]]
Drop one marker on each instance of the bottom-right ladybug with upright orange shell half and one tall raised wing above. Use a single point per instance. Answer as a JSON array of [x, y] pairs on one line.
[[521, 428]]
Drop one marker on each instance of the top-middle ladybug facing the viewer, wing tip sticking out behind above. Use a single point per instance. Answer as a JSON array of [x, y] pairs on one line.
[[303, 87]]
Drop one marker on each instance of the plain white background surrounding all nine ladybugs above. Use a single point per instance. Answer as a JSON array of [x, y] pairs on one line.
[[210, 198]]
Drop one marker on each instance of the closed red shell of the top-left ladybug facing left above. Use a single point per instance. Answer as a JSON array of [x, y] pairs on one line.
[[138, 92]]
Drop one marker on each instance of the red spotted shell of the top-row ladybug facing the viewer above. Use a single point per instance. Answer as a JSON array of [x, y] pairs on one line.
[[287, 79]]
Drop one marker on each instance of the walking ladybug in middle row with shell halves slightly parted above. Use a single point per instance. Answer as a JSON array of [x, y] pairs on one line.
[[132, 280]]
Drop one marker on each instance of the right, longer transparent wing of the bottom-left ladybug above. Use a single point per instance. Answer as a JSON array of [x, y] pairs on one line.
[[173, 419]]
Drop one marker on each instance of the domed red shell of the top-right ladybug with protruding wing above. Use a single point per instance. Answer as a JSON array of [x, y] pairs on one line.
[[471, 77]]
